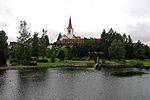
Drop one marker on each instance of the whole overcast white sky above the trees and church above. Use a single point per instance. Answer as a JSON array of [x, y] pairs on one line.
[[89, 17]]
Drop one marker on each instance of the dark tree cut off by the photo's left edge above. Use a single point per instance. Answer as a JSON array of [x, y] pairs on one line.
[[3, 47]]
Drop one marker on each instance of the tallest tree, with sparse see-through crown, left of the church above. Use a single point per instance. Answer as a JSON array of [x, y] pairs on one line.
[[24, 49]]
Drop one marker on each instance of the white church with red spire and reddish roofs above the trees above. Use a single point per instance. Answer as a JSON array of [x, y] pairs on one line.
[[69, 38]]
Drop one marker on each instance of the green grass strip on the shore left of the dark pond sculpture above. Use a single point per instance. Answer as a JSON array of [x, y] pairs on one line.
[[66, 63]]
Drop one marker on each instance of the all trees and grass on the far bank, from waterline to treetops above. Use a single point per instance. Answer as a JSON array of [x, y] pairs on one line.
[[113, 48]]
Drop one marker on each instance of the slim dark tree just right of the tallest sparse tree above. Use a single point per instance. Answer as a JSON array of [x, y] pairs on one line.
[[35, 45]]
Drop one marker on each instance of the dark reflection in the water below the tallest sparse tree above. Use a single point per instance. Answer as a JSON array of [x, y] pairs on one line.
[[32, 82]]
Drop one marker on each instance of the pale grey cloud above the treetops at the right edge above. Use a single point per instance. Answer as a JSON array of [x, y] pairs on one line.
[[140, 31]]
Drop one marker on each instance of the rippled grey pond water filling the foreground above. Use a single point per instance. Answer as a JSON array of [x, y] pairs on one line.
[[72, 84]]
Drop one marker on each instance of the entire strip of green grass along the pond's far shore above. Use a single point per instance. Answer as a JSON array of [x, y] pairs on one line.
[[84, 64]]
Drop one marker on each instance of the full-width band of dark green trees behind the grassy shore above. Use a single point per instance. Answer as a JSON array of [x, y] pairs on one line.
[[112, 44]]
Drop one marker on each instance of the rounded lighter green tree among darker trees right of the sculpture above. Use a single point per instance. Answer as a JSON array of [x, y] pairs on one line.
[[116, 50]]
